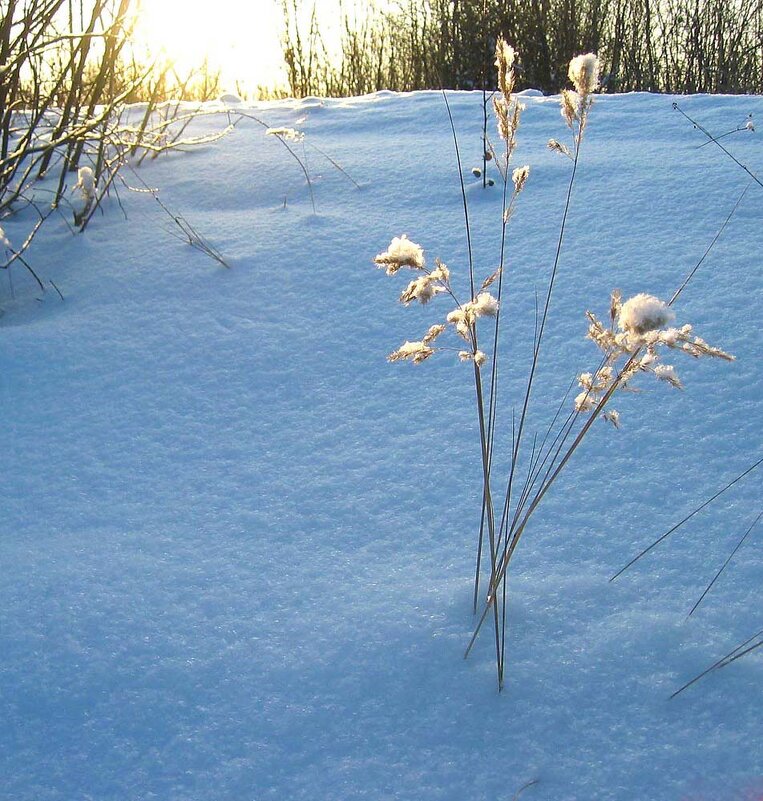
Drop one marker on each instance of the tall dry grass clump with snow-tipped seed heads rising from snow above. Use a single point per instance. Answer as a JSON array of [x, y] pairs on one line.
[[639, 332]]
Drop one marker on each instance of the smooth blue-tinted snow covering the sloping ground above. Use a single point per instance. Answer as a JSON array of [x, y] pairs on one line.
[[237, 545]]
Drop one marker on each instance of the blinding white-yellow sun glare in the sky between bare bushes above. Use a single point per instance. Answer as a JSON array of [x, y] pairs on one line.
[[241, 38]]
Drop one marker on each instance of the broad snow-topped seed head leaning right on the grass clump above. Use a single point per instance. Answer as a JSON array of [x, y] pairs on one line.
[[634, 342]]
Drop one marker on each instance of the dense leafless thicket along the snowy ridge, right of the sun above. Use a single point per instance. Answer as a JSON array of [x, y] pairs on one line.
[[676, 46]]
